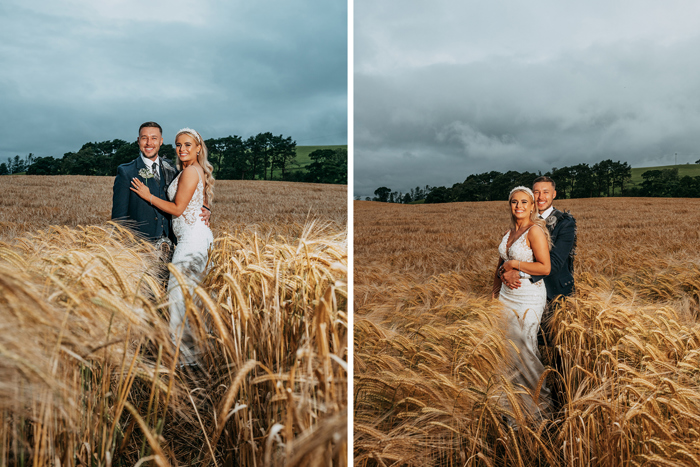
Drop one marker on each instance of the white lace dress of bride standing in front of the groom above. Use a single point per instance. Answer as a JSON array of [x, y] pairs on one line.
[[523, 309]]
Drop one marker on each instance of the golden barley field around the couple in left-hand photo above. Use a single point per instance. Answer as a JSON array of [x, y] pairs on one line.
[[88, 371]]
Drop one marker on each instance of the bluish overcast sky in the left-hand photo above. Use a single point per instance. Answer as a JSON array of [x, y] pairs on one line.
[[74, 71]]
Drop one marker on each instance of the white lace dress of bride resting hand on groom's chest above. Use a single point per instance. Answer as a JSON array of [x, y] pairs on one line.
[[190, 257]]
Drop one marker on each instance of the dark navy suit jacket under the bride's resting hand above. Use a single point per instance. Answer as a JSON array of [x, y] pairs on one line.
[[138, 213]]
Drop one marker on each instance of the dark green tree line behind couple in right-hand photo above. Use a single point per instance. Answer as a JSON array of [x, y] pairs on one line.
[[606, 178]]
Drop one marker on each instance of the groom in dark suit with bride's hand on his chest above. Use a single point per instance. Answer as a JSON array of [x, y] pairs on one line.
[[156, 173]]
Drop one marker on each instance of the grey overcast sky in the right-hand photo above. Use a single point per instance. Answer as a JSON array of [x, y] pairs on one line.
[[449, 88]]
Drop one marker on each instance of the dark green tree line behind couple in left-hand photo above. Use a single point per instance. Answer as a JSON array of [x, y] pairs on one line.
[[260, 157]]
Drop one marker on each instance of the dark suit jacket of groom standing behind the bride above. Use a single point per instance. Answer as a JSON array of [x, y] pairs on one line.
[[562, 230]]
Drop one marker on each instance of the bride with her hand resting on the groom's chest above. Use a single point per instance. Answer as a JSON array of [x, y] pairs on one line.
[[189, 191]]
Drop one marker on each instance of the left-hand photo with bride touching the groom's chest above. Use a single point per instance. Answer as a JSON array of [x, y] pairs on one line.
[[174, 233]]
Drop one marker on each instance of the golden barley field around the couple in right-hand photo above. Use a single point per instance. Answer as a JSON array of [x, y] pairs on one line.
[[429, 347]]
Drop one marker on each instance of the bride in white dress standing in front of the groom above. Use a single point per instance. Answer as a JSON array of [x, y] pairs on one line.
[[525, 248]]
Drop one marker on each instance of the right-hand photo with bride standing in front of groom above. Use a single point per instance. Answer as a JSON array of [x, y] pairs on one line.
[[526, 268]]
